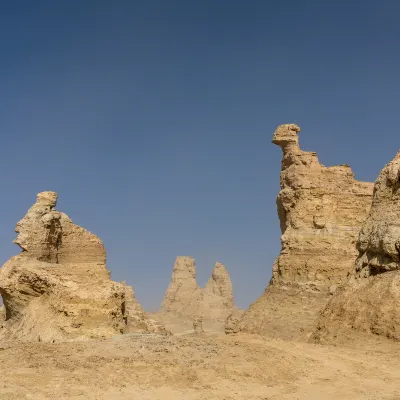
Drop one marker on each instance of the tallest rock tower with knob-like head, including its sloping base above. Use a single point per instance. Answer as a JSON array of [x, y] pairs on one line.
[[321, 210]]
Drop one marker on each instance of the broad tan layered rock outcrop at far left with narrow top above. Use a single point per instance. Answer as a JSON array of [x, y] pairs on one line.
[[59, 288]]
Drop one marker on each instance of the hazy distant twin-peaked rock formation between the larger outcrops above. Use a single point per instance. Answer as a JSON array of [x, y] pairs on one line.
[[186, 299]]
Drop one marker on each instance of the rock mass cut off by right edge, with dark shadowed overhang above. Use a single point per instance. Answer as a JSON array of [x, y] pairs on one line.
[[370, 301]]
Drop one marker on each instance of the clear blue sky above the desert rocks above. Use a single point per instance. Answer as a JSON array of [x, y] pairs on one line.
[[153, 120]]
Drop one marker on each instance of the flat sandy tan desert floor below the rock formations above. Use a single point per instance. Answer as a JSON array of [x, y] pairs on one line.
[[198, 367]]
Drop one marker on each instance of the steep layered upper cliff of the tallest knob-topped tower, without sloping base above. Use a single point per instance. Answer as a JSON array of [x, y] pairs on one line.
[[321, 210]]
